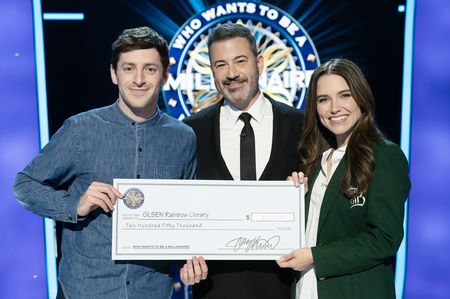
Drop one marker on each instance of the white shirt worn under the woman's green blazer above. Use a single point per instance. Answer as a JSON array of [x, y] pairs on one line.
[[307, 285]]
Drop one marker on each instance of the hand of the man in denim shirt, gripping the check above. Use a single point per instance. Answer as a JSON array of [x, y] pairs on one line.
[[98, 195]]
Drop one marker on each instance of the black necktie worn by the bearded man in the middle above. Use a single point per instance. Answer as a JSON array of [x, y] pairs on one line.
[[248, 160]]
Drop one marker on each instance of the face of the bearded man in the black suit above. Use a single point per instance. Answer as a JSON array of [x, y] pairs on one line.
[[236, 71]]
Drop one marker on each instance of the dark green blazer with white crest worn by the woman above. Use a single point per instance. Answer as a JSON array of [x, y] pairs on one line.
[[357, 239]]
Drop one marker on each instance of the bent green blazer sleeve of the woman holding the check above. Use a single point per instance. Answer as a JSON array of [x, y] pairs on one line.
[[382, 237]]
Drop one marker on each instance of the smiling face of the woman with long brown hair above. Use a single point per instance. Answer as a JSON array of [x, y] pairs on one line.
[[336, 107]]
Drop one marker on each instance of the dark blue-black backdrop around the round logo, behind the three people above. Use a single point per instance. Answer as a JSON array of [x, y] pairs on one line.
[[77, 53]]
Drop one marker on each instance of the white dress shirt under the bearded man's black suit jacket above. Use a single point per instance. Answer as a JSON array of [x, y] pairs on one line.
[[230, 131]]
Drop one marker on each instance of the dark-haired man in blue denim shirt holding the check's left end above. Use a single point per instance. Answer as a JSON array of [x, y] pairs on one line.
[[70, 181]]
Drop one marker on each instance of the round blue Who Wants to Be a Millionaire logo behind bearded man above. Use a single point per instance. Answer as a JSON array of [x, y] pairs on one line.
[[289, 56]]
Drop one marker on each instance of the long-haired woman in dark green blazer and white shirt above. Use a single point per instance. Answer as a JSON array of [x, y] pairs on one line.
[[358, 183]]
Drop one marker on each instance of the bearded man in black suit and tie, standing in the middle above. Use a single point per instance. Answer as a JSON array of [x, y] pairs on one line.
[[275, 129]]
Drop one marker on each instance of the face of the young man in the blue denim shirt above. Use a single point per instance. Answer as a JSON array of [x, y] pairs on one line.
[[139, 76]]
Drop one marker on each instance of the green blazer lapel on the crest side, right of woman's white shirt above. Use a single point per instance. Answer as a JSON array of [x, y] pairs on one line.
[[331, 193]]
